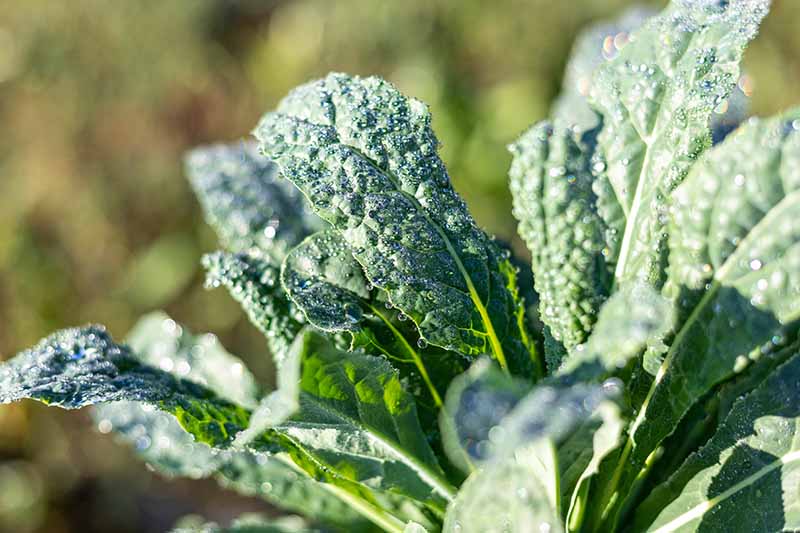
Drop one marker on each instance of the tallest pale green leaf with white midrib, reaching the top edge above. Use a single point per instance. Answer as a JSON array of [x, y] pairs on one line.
[[656, 99]]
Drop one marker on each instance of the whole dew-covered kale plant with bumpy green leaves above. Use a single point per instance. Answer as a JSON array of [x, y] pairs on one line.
[[657, 387]]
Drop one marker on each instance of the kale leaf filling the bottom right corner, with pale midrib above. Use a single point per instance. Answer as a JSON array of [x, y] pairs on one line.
[[747, 476]]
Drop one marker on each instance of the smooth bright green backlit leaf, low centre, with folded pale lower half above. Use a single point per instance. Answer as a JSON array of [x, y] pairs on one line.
[[357, 421]]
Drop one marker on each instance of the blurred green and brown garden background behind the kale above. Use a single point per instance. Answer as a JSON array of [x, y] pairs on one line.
[[98, 102]]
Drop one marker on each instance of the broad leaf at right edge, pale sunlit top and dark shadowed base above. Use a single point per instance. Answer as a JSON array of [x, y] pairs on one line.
[[734, 271]]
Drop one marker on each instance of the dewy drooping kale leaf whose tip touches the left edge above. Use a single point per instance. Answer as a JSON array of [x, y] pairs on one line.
[[78, 367]]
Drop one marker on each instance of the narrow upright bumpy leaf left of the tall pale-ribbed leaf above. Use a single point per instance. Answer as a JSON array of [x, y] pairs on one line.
[[551, 182]]
